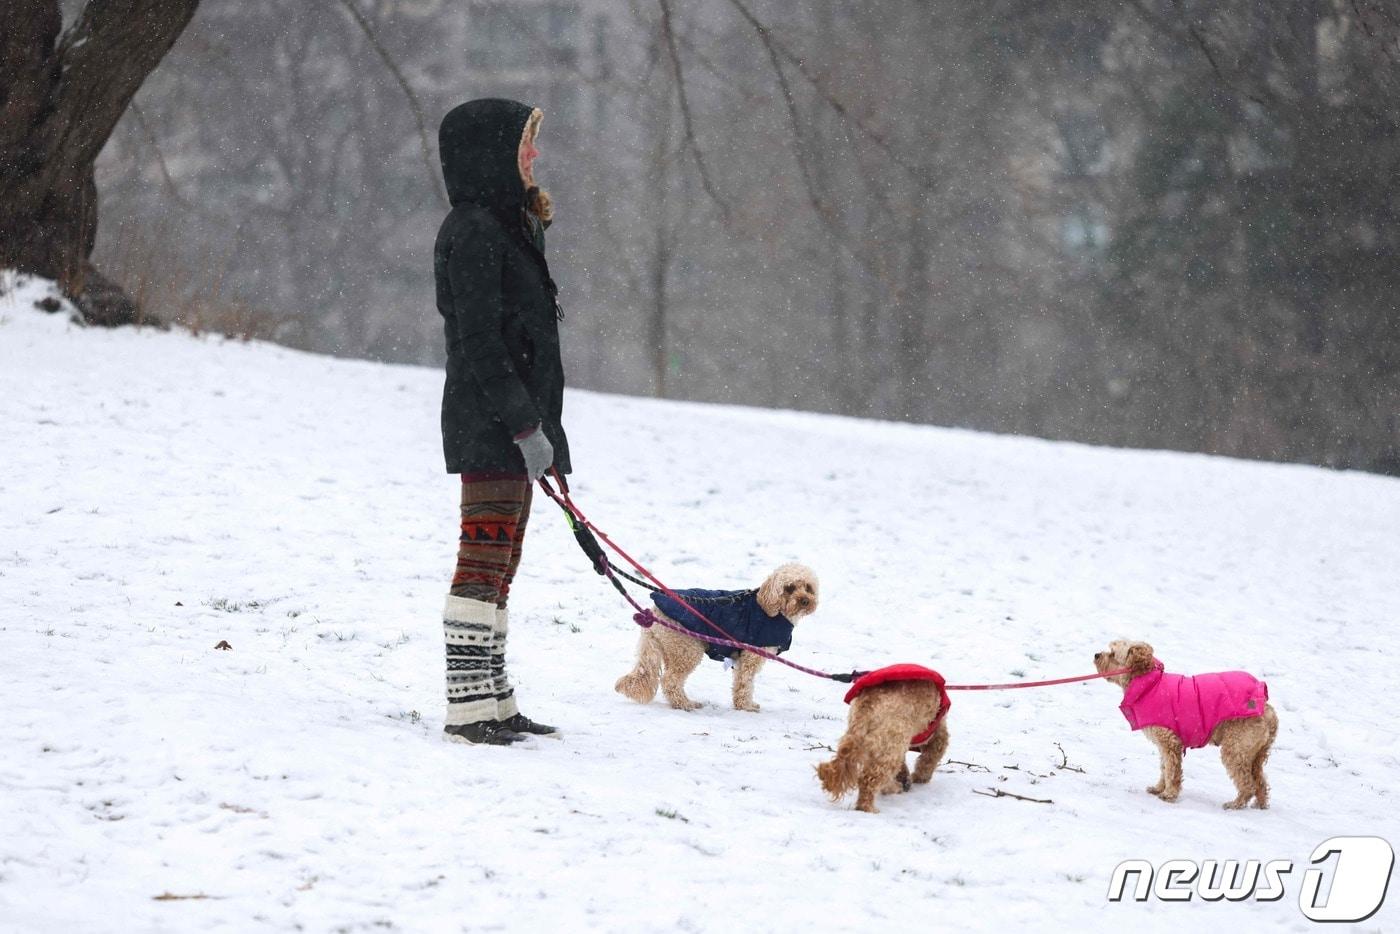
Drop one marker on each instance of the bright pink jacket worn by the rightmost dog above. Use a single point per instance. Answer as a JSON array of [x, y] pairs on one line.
[[1192, 706]]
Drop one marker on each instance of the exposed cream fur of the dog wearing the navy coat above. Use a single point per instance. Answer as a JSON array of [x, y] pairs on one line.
[[666, 657]]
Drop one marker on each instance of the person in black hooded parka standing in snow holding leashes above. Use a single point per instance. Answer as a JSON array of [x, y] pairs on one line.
[[503, 398]]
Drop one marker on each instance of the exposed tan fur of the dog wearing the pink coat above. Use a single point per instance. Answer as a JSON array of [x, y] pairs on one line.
[[1245, 743]]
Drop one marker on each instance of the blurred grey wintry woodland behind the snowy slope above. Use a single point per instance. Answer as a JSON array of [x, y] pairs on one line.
[[1161, 223]]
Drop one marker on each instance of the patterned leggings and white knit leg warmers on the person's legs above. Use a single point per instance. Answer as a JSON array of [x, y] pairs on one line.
[[475, 622]]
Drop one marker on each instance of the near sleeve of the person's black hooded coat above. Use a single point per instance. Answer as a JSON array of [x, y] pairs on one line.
[[475, 268]]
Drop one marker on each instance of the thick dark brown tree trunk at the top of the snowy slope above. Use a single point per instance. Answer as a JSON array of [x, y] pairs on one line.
[[61, 97]]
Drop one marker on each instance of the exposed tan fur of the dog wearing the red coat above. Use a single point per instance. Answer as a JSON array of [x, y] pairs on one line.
[[870, 758]]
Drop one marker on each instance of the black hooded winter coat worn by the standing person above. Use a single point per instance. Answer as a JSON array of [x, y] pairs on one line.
[[496, 298]]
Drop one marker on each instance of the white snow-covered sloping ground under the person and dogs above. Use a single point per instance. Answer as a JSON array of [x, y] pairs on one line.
[[160, 494]]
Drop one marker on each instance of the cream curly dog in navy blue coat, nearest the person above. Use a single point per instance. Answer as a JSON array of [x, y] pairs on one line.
[[762, 617]]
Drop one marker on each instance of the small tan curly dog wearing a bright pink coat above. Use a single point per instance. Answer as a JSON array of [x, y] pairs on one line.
[[1177, 712]]
